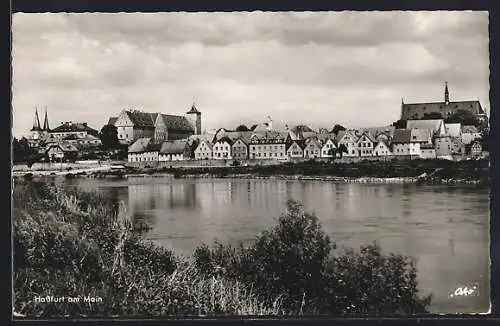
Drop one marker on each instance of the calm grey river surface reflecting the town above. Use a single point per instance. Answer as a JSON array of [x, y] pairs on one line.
[[445, 228]]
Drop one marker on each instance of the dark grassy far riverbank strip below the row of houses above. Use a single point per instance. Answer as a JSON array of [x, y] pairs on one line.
[[414, 171]]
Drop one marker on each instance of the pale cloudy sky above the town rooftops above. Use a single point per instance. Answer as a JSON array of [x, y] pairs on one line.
[[313, 68]]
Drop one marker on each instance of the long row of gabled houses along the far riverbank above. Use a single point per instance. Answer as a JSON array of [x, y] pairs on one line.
[[421, 139]]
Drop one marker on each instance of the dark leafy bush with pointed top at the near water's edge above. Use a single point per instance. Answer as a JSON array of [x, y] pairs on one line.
[[294, 258]]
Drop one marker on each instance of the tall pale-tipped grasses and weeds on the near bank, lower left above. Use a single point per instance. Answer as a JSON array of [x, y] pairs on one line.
[[73, 244]]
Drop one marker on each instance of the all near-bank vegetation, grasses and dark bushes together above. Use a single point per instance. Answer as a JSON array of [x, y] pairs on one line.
[[70, 244]]
